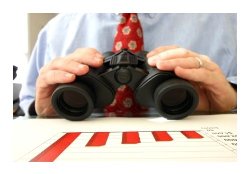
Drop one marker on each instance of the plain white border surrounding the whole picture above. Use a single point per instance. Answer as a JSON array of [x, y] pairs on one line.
[[10, 43]]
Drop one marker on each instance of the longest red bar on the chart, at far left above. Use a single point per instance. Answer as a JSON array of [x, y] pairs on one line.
[[54, 150]]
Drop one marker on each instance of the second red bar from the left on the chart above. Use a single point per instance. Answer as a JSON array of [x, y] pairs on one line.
[[98, 139]]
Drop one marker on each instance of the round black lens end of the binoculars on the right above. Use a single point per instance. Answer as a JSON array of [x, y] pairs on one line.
[[175, 99]]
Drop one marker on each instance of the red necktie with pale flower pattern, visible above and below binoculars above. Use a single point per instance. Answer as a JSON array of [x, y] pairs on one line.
[[129, 36]]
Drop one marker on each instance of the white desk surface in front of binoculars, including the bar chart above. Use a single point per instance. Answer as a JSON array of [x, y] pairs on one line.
[[195, 138]]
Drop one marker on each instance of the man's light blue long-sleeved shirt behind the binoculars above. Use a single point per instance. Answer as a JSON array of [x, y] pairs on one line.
[[214, 35]]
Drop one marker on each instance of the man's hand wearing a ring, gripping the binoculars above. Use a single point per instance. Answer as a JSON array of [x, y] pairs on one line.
[[215, 92]]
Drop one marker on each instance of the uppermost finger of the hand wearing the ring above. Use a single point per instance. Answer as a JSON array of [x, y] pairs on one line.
[[171, 54]]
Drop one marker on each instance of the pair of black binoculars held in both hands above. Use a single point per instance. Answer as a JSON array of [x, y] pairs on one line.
[[173, 97]]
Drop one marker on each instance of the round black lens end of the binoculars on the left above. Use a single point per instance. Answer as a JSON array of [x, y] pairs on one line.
[[74, 102]]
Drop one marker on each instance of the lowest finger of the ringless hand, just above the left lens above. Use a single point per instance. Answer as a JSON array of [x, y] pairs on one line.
[[54, 77]]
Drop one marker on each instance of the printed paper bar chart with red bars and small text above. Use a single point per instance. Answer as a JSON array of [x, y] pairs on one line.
[[205, 144]]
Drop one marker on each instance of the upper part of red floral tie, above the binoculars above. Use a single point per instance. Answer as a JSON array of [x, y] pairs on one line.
[[129, 34]]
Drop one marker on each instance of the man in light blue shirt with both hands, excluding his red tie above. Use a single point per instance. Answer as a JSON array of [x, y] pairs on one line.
[[72, 43]]
